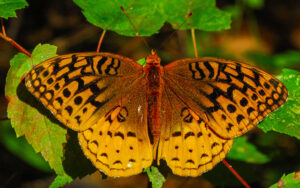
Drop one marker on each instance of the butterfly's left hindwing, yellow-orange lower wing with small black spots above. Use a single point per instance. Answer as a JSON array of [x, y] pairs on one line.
[[118, 144]]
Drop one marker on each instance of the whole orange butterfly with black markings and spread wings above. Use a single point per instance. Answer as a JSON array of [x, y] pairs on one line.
[[126, 115]]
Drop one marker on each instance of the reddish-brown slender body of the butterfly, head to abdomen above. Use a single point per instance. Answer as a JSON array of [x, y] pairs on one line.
[[153, 73]]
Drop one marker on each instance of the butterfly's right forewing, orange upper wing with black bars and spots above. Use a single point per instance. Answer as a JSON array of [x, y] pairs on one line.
[[231, 97]]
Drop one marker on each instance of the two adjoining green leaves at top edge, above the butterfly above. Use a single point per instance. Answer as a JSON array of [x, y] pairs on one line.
[[149, 16]]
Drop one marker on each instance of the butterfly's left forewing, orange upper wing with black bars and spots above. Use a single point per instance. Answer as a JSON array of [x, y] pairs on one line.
[[79, 88]]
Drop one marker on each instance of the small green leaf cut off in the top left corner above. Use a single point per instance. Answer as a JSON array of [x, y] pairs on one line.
[[8, 7]]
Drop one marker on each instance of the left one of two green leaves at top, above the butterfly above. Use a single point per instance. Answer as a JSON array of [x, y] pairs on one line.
[[107, 14]]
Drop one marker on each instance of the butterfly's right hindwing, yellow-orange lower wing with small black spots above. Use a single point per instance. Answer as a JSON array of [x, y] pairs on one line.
[[187, 143]]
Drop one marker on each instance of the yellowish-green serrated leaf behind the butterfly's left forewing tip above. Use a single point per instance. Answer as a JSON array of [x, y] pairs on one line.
[[44, 135]]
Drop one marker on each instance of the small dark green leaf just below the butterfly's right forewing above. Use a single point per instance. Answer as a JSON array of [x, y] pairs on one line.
[[242, 150]]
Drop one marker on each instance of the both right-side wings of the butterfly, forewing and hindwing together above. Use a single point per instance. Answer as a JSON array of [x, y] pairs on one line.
[[206, 103]]
